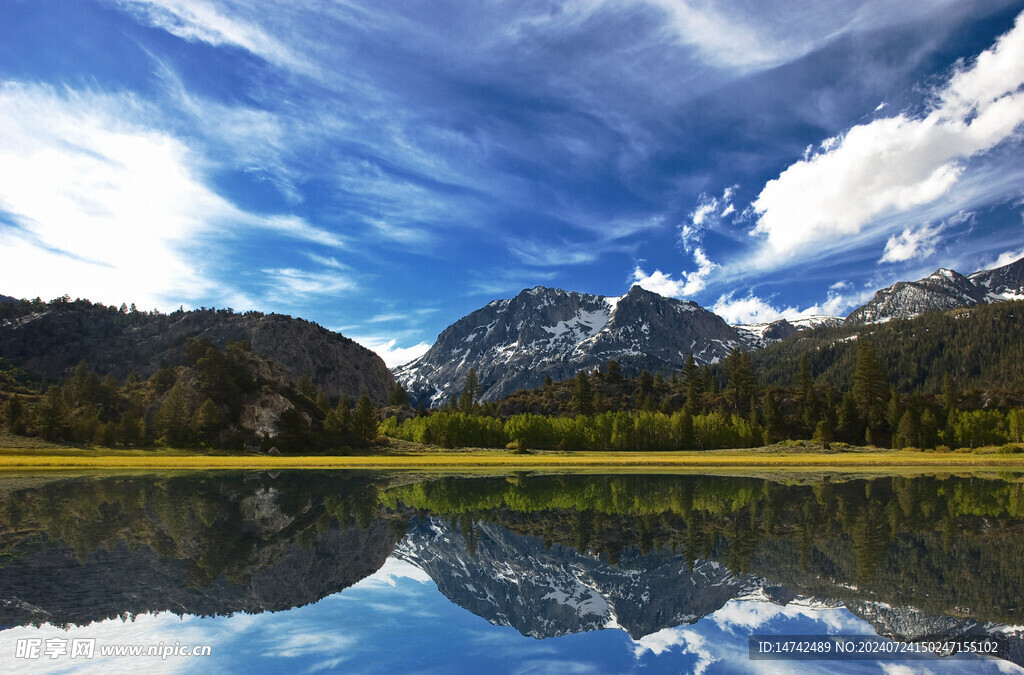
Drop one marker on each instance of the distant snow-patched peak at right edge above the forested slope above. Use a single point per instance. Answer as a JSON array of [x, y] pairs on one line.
[[945, 289]]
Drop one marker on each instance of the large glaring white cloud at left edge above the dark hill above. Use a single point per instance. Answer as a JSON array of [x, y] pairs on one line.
[[110, 207]]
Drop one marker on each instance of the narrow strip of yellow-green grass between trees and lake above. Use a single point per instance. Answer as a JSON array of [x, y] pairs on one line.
[[411, 456]]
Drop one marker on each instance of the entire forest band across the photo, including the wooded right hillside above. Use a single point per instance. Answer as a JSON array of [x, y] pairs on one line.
[[943, 382]]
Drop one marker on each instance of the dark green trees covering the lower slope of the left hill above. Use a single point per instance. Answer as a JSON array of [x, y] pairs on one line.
[[231, 400]]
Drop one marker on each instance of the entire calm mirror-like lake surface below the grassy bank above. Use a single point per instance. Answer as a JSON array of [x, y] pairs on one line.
[[303, 572]]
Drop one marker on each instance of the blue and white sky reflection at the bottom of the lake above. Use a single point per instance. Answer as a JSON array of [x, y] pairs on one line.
[[392, 622]]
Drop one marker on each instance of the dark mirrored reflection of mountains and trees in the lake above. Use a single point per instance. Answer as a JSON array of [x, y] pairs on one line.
[[915, 558]]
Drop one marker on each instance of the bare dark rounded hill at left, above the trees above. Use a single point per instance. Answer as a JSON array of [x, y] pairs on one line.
[[51, 340]]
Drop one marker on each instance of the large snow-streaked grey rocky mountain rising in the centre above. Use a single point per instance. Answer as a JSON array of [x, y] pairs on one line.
[[515, 344]]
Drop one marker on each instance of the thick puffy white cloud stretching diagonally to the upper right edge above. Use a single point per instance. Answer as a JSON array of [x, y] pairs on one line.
[[892, 165]]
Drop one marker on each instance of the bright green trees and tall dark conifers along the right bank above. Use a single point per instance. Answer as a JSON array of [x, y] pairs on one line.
[[728, 406]]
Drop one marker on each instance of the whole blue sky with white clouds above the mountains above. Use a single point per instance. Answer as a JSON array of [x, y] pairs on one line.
[[385, 170]]
